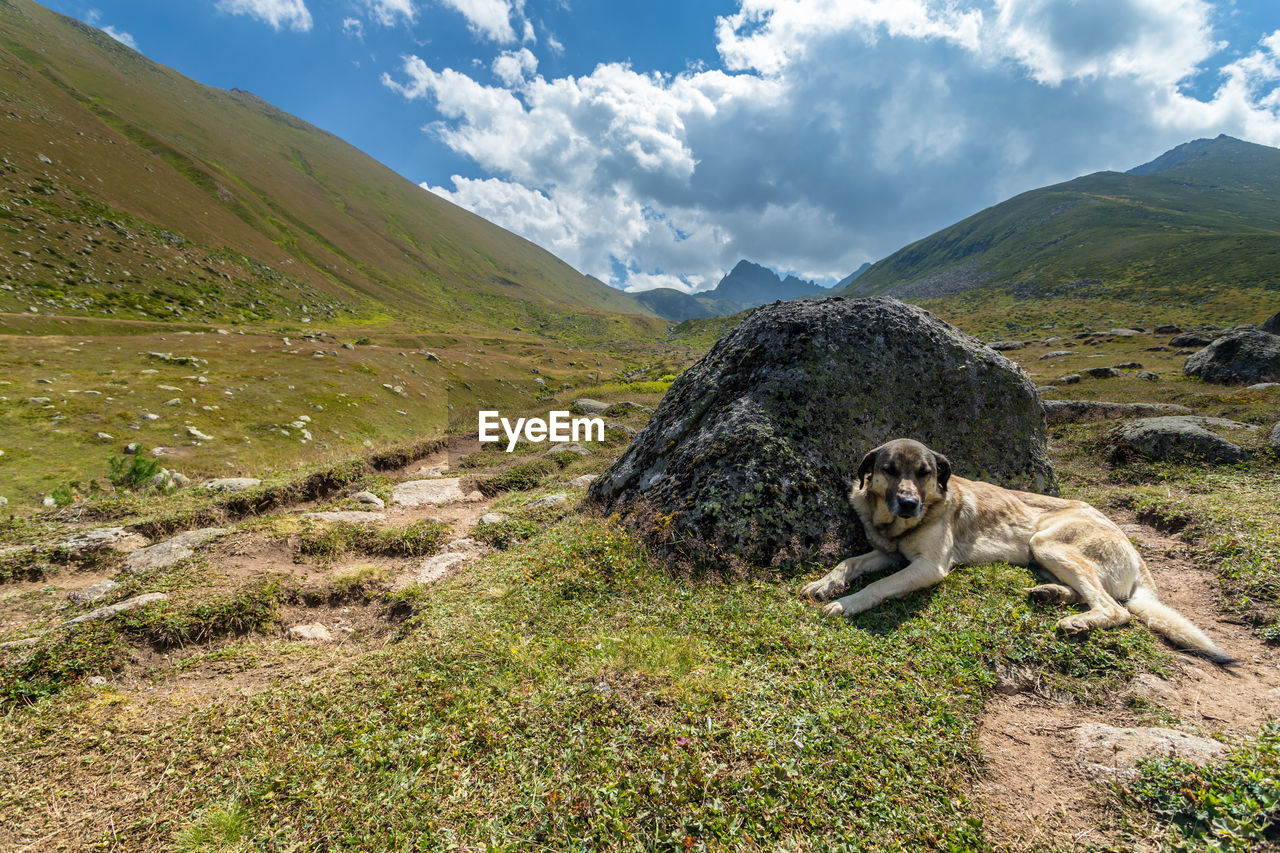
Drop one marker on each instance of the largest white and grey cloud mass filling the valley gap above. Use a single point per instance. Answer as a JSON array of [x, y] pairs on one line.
[[835, 131]]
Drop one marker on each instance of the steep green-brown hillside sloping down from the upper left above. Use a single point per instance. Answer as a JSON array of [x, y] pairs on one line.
[[130, 190]]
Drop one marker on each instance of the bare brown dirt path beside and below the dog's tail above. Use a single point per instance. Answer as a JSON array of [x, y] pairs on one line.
[[1032, 793]]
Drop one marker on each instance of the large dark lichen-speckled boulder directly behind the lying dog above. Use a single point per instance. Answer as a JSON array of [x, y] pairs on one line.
[[751, 455]]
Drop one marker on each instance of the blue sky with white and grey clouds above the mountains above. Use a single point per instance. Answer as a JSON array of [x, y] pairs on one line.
[[656, 144]]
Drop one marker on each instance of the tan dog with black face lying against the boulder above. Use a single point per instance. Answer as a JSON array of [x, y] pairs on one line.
[[916, 512]]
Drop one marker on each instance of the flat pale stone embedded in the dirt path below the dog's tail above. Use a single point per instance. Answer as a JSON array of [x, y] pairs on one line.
[[1109, 752]]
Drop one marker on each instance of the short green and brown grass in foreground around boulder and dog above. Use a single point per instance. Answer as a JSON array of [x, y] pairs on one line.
[[569, 692]]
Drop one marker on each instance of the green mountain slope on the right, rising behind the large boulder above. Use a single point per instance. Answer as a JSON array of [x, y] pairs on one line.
[[1196, 221]]
